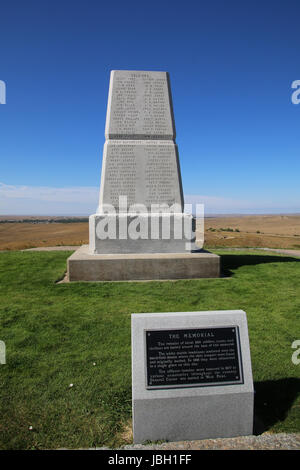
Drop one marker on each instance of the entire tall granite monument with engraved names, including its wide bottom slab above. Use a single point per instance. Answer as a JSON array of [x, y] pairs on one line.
[[140, 230]]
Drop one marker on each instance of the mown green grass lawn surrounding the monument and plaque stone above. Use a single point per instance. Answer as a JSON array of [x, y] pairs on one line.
[[62, 334]]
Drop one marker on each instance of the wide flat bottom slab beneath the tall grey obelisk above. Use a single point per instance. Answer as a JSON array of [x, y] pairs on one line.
[[85, 266]]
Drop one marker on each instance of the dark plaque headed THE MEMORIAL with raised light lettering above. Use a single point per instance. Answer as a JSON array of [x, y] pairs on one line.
[[193, 357]]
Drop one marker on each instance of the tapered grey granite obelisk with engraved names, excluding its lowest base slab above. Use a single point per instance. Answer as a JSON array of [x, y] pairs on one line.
[[140, 167]]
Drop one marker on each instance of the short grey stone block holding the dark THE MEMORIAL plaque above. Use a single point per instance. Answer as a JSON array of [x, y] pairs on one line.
[[192, 378]]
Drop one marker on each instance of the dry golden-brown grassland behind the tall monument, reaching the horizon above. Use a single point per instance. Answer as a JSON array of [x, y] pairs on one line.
[[272, 231]]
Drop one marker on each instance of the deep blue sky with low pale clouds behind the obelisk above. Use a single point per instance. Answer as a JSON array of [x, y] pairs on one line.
[[231, 65]]
